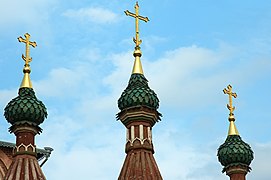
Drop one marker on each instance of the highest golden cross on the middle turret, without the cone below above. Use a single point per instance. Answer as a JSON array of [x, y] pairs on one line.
[[137, 17]]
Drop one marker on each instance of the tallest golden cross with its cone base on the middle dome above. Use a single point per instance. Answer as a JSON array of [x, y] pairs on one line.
[[137, 69]]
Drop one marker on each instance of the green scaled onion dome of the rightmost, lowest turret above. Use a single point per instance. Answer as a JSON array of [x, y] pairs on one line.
[[234, 151]]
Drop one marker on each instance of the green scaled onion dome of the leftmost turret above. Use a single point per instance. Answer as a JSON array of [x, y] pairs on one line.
[[25, 108]]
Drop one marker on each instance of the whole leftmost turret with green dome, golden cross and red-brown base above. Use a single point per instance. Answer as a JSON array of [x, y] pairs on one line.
[[25, 113]]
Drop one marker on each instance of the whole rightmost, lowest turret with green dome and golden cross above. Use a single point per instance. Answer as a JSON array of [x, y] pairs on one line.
[[234, 154]]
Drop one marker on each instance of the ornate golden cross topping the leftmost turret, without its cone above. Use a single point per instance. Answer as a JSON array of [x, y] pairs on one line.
[[27, 42]]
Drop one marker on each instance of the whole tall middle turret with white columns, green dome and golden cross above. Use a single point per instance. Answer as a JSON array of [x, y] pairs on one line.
[[138, 104]]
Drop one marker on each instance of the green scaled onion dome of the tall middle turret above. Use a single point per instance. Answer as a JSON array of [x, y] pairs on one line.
[[138, 93]]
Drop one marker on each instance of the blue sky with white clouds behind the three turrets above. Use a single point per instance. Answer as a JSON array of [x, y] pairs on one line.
[[191, 51]]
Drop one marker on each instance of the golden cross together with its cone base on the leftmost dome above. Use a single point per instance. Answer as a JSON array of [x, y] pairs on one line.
[[26, 82]]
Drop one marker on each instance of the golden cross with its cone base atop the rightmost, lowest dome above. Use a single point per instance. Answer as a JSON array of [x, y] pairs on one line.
[[232, 128]]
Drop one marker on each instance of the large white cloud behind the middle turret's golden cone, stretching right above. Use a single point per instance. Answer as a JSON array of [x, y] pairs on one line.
[[192, 75]]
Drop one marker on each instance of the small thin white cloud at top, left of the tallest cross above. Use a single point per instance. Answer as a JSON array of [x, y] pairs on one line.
[[96, 15]]
